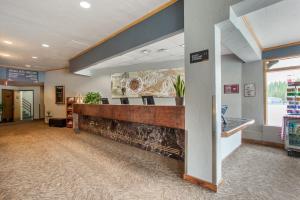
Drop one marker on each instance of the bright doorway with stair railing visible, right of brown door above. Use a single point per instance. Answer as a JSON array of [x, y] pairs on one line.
[[27, 104]]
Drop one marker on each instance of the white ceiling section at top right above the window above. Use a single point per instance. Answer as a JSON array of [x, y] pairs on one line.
[[277, 24]]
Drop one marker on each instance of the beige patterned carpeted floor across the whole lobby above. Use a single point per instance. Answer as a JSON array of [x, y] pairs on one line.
[[38, 162]]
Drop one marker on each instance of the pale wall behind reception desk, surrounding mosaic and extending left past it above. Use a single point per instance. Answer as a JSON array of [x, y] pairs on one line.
[[100, 81]]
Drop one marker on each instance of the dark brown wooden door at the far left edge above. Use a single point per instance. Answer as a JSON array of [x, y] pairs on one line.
[[8, 105]]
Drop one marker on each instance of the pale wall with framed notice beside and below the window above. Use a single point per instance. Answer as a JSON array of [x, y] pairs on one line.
[[253, 107]]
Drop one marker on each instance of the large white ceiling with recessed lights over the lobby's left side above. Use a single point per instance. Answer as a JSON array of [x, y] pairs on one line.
[[64, 25]]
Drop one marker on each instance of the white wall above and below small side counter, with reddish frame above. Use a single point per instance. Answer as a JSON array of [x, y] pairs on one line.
[[231, 74]]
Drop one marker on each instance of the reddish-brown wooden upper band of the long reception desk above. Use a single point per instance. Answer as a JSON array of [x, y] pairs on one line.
[[166, 116]]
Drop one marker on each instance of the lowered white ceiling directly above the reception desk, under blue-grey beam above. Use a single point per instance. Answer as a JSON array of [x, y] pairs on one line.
[[174, 51]]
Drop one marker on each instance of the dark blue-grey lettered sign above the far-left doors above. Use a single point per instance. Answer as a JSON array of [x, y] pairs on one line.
[[22, 75]]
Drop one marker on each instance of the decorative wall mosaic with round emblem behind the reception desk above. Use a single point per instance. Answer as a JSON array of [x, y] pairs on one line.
[[157, 83]]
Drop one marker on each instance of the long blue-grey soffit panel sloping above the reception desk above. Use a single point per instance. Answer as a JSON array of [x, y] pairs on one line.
[[164, 23]]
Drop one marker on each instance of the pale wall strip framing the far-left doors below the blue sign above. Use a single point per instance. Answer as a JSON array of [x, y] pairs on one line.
[[36, 96]]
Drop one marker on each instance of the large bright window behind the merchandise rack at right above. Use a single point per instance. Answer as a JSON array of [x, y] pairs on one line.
[[278, 73]]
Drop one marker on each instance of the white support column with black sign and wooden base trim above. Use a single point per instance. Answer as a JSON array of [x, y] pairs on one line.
[[203, 91]]
